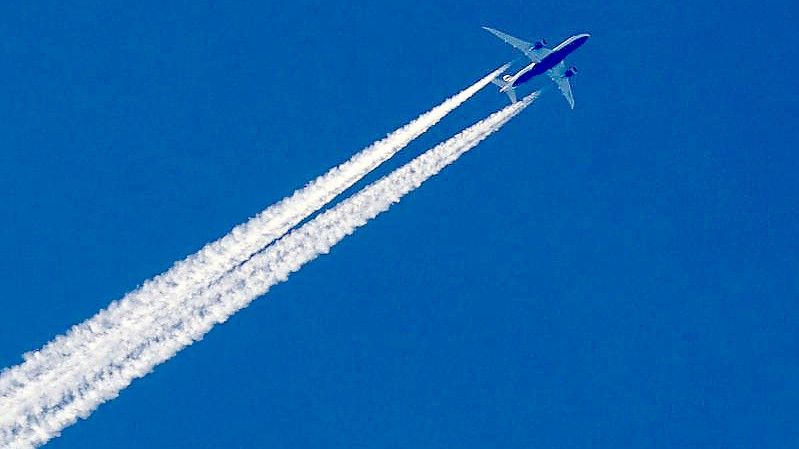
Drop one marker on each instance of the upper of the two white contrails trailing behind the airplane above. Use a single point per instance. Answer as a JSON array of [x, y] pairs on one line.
[[166, 292]]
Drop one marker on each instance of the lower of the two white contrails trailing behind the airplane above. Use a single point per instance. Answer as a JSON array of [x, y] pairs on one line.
[[36, 425]]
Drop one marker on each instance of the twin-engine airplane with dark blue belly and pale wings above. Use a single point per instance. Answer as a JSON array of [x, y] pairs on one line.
[[544, 60]]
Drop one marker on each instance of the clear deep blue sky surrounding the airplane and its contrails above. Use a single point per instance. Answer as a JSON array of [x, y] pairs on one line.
[[623, 275]]
